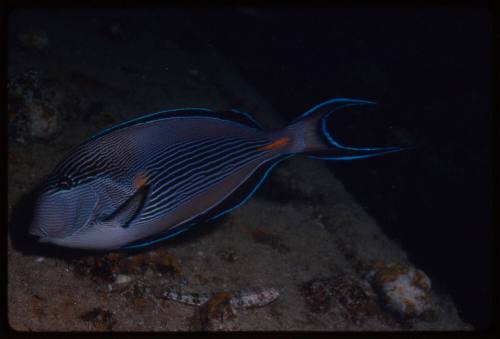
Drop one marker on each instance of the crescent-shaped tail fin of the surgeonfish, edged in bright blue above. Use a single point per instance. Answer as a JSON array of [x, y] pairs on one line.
[[313, 138]]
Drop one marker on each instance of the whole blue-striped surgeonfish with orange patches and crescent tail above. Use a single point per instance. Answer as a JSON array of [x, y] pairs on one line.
[[151, 178]]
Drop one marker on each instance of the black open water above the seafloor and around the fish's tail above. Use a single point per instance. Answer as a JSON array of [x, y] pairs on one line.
[[430, 72]]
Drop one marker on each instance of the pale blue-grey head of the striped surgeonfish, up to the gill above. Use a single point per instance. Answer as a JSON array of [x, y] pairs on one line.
[[77, 214]]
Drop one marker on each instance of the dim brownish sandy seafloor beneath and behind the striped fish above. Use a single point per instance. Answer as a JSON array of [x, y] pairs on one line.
[[300, 226]]
